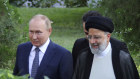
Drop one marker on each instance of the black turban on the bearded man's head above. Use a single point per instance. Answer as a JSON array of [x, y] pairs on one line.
[[99, 22]]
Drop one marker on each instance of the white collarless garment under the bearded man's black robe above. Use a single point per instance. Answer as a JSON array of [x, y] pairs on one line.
[[102, 65]]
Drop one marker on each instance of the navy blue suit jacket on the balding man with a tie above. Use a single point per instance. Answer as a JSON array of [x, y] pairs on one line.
[[56, 64]]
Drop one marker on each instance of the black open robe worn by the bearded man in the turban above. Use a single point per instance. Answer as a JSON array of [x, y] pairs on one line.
[[123, 64]]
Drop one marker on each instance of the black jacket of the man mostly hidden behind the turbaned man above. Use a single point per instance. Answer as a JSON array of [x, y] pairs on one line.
[[83, 43]]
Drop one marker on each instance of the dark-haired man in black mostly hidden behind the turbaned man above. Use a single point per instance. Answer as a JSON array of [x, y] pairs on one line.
[[83, 43]]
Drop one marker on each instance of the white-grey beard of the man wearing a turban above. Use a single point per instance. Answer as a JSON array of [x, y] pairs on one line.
[[100, 49]]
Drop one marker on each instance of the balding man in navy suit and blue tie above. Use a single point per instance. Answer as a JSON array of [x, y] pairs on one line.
[[41, 57]]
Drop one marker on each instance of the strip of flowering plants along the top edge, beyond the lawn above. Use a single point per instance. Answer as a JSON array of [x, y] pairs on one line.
[[49, 3]]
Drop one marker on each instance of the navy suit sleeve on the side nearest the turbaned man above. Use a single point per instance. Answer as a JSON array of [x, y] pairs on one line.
[[66, 66]]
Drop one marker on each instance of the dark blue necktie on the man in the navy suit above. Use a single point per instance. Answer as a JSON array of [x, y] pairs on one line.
[[35, 64]]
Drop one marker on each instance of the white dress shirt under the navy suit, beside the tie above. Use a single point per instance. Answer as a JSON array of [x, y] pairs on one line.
[[42, 51]]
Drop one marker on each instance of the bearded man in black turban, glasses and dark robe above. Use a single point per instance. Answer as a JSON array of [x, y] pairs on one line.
[[103, 59]]
